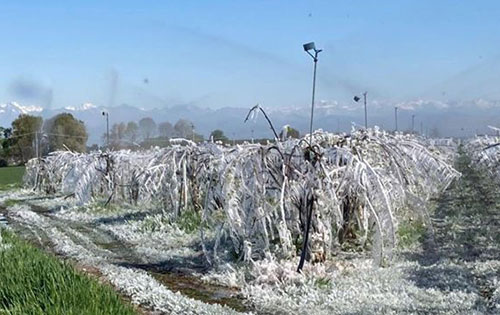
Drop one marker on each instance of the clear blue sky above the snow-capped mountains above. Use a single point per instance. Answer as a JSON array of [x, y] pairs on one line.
[[237, 53]]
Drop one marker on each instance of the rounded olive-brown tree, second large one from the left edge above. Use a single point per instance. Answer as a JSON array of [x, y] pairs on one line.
[[64, 131]]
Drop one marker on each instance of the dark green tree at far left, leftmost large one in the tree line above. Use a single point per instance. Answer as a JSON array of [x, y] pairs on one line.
[[24, 131]]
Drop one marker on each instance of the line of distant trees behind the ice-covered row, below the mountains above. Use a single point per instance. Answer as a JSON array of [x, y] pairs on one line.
[[30, 136]]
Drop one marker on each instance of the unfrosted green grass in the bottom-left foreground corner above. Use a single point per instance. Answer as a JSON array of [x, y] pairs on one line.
[[32, 282]]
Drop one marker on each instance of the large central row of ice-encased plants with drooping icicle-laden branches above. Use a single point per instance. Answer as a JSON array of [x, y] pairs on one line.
[[255, 199]]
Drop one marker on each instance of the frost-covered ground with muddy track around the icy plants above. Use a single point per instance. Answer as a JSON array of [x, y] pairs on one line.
[[455, 270]]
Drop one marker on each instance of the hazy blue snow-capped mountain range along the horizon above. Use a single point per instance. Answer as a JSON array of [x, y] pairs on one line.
[[450, 118]]
